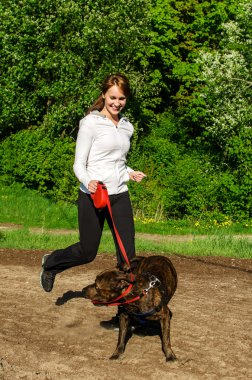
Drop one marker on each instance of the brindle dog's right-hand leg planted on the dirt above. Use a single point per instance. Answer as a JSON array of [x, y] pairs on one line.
[[165, 323]]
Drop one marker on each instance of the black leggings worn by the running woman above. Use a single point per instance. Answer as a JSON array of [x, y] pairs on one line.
[[91, 222]]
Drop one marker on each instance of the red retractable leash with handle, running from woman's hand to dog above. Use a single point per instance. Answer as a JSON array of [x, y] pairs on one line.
[[101, 200]]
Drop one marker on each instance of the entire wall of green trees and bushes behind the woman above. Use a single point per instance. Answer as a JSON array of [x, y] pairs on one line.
[[189, 66]]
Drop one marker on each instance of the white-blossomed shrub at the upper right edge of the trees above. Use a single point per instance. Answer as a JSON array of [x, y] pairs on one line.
[[226, 76]]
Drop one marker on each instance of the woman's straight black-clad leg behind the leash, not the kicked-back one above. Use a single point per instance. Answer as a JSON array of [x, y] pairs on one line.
[[124, 222]]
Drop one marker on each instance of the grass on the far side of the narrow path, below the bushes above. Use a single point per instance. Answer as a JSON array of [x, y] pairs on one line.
[[27, 207]]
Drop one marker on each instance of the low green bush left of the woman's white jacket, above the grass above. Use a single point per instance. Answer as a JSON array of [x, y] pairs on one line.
[[40, 162]]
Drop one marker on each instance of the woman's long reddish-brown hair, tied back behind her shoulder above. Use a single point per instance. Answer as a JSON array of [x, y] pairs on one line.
[[117, 79]]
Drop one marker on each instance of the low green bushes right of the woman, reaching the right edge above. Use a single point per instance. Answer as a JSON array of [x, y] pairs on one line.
[[184, 182]]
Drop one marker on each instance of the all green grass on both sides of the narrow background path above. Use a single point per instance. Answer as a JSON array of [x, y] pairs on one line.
[[29, 209]]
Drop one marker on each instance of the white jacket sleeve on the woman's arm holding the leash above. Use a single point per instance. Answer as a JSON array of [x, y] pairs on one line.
[[84, 142]]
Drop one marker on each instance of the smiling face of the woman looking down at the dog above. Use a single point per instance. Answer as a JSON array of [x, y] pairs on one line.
[[114, 102]]
